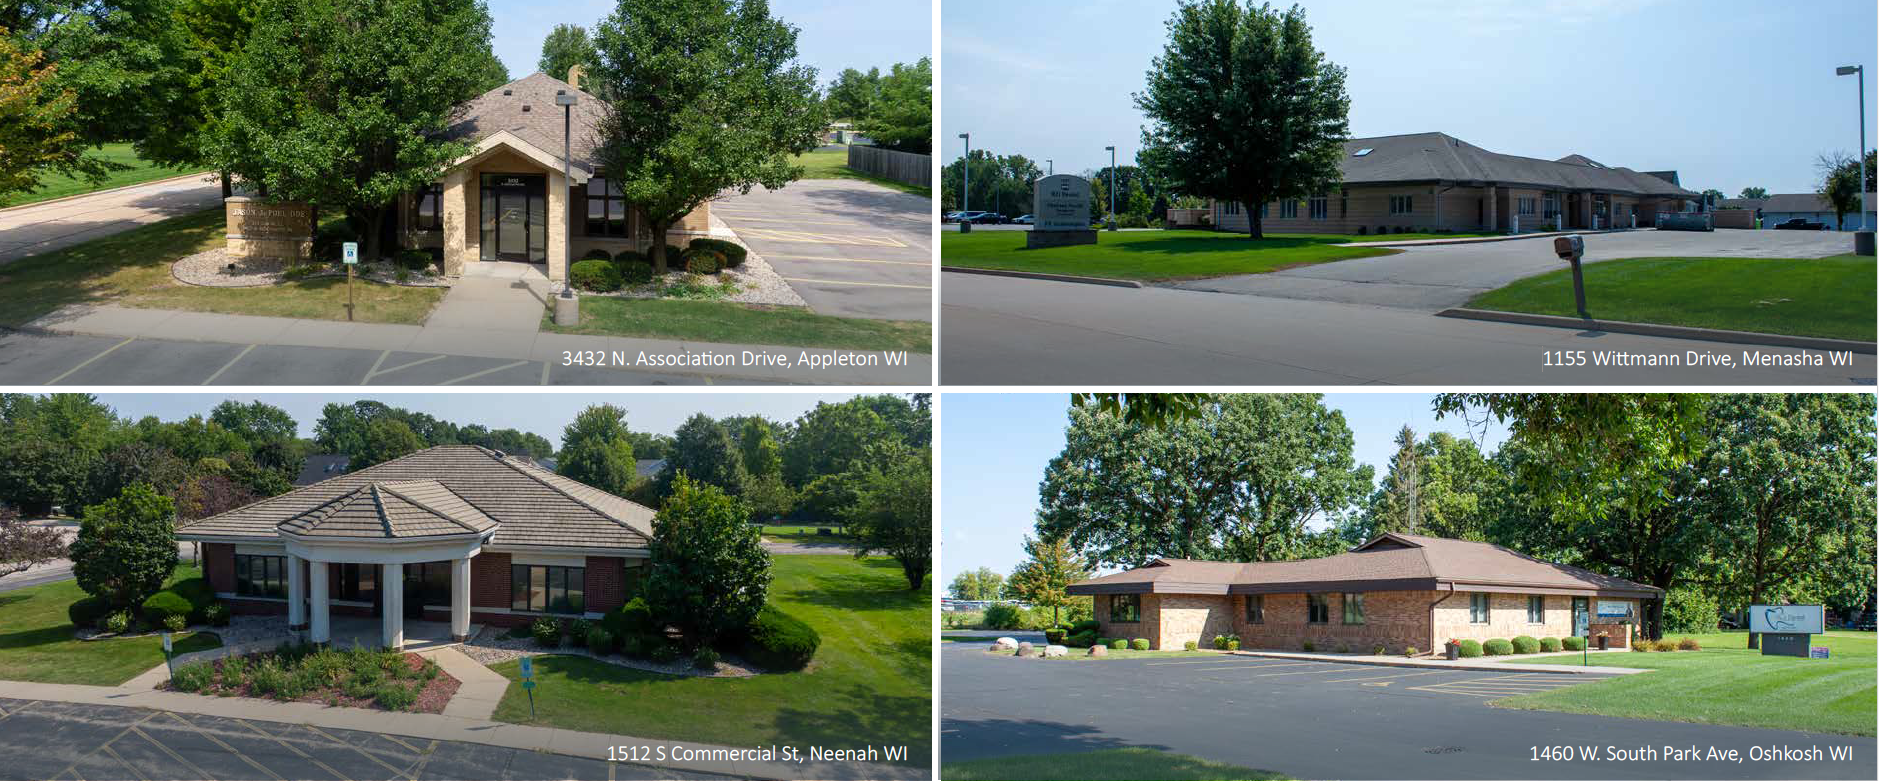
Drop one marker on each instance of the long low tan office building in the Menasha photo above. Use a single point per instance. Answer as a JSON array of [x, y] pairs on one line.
[[1438, 183]]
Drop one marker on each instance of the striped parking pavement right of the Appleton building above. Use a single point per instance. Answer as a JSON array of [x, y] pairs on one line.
[[848, 249]]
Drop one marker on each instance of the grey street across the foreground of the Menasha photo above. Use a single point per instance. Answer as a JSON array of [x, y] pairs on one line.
[[1010, 331]]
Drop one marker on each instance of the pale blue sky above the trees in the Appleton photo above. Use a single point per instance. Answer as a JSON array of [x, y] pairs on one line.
[[833, 35]]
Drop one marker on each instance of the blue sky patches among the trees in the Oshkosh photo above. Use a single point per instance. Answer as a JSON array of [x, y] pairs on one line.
[[995, 450]]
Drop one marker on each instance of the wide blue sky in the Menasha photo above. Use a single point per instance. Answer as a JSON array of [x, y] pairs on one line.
[[1731, 95]]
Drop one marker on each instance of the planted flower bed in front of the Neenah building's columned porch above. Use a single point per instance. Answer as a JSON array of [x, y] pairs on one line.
[[356, 679]]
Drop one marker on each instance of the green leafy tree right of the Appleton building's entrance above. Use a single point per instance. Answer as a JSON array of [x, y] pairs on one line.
[[707, 99]]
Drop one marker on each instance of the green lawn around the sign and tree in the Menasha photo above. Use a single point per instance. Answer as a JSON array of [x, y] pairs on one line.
[[1147, 254]]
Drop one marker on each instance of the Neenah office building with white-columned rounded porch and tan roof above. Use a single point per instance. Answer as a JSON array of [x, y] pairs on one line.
[[454, 532]]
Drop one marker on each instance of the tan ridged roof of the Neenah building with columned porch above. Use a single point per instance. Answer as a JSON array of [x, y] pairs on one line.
[[458, 485]]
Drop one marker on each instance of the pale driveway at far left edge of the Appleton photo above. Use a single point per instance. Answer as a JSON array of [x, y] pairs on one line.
[[42, 228]]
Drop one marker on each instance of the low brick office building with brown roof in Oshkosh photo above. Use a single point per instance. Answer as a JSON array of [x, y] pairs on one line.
[[1397, 592]]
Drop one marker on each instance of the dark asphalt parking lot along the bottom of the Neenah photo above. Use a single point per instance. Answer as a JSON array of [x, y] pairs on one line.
[[59, 741]]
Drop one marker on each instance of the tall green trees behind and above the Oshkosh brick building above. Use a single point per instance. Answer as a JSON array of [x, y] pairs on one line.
[[1720, 500]]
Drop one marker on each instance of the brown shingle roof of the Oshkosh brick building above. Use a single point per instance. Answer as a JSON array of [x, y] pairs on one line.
[[1390, 562]]
